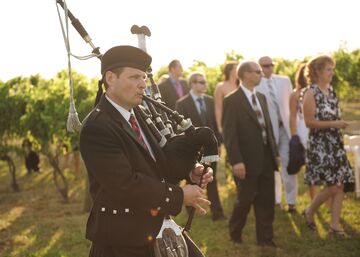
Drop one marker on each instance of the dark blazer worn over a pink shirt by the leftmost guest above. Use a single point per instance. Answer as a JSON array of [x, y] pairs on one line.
[[168, 92]]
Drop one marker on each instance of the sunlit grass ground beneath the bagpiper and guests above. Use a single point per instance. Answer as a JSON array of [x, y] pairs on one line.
[[35, 222]]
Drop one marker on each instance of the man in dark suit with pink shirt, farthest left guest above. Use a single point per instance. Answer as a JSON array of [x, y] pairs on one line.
[[174, 87]]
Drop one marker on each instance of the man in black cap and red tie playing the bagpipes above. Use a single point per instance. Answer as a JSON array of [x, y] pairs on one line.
[[128, 172]]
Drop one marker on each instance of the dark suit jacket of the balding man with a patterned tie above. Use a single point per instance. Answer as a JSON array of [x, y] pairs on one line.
[[242, 132]]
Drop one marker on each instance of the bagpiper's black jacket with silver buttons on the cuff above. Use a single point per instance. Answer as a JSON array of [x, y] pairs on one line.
[[129, 197]]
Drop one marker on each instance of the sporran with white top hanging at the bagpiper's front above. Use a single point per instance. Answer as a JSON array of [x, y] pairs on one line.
[[173, 241]]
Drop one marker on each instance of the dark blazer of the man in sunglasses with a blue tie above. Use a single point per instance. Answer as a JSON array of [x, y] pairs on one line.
[[187, 107]]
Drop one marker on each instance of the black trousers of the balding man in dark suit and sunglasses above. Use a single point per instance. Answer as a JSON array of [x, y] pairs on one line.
[[257, 191]]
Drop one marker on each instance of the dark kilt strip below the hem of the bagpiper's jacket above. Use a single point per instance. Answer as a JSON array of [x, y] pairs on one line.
[[97, 250]]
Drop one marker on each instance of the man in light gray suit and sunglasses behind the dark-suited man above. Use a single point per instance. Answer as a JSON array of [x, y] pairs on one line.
[[277, 90]]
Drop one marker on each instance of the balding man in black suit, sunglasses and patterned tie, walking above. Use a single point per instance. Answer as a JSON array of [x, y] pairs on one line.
[[252, 152]]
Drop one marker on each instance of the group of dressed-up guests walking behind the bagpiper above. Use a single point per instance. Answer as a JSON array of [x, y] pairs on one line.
[[257, 115]]
